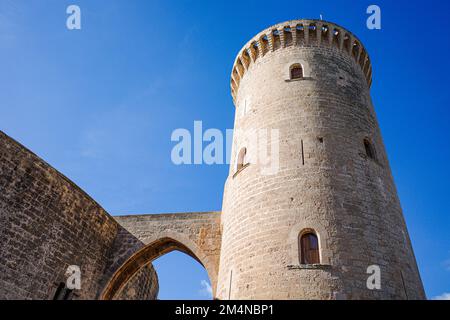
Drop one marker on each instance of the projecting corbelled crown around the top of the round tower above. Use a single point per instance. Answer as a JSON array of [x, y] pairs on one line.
[[299, 33]]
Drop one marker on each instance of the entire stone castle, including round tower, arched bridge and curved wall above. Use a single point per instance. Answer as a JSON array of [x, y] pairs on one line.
[[332, 179]]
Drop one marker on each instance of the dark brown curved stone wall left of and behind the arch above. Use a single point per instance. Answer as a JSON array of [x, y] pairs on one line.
[[46, 224]]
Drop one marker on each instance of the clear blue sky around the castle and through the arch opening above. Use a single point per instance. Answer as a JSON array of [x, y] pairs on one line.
[[99, 104]]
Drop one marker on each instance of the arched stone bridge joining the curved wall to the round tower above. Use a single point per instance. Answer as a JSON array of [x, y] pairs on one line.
[[144, 238]]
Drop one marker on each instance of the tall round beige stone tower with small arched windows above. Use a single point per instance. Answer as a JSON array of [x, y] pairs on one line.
[[311, 228]]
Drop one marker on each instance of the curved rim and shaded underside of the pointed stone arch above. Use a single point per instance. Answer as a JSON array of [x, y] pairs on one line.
[[153, 250]]
